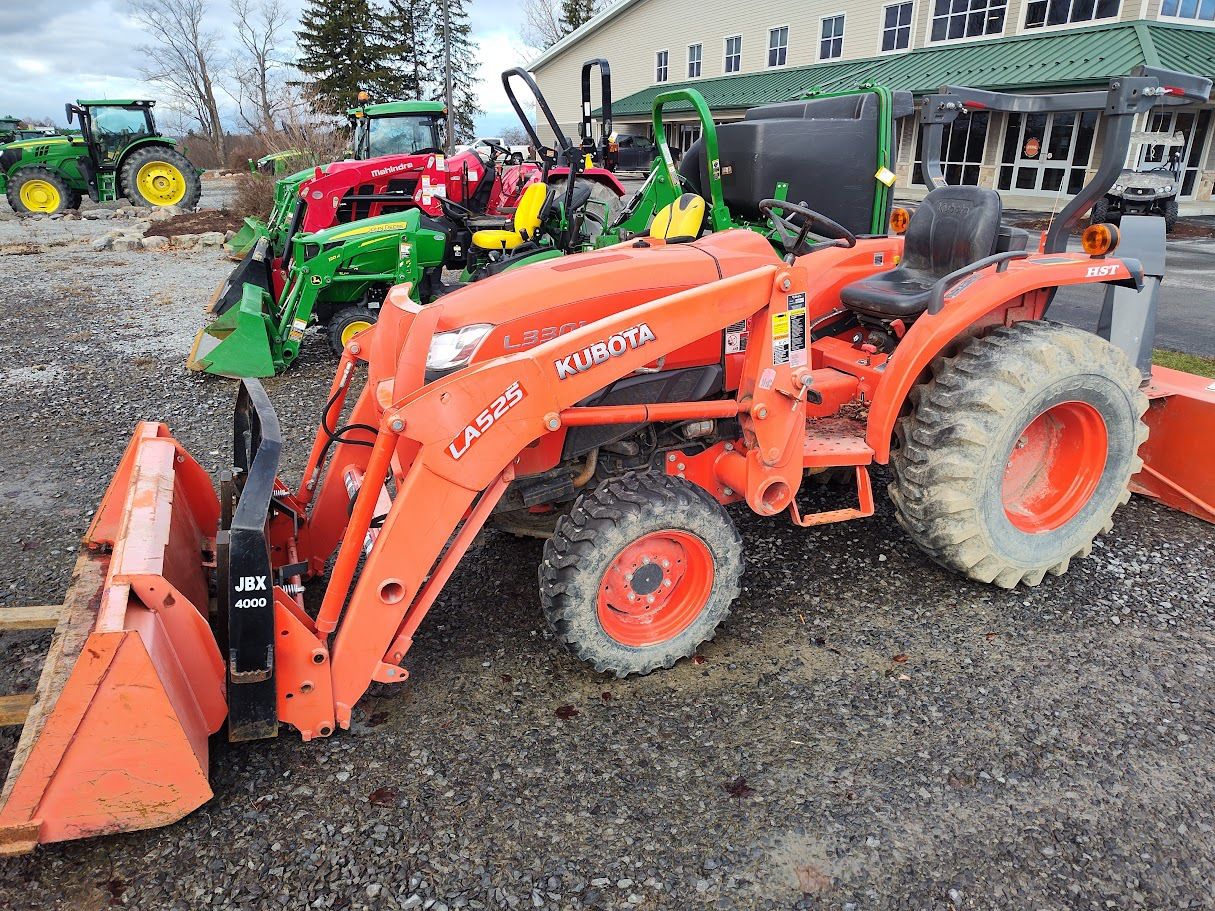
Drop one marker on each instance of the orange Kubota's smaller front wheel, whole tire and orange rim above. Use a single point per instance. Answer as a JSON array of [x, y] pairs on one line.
[[641, 574]]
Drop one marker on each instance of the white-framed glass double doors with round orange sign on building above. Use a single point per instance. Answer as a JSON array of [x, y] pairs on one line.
[[1047, 154]]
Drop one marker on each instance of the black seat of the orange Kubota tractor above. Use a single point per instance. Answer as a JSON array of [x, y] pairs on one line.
[[951, 229]]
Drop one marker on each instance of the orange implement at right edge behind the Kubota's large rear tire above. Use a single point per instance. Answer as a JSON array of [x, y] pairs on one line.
[[1177, 456]]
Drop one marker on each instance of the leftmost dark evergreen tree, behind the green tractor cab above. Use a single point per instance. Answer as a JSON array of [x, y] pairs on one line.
[[343, 55]]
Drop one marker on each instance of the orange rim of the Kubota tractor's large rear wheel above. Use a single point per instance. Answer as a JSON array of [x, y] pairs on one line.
[[1055, 467]]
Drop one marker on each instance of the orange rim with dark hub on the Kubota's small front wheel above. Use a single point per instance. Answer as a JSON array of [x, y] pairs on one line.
[[655, 589]]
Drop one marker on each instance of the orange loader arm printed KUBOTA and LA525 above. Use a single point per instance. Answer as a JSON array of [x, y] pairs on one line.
[[457, 440]]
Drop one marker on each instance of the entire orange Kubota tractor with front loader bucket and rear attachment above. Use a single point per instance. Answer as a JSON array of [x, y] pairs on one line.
[[634, 392]]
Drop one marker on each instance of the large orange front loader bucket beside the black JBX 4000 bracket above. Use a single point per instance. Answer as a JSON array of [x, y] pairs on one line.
[[116, 739]]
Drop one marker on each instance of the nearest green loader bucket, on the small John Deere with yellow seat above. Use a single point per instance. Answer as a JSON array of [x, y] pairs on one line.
[[241, 343]]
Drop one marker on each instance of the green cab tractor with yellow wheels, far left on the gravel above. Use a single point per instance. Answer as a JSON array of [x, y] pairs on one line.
[[117, 154]]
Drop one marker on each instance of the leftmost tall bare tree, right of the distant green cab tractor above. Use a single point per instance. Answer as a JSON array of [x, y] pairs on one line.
[[184, 58]]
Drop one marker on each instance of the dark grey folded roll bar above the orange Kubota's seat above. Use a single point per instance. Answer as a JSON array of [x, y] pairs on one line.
[[1126, 98]]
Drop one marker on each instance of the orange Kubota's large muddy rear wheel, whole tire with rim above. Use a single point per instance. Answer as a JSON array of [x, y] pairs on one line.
[[1019, 451]]
